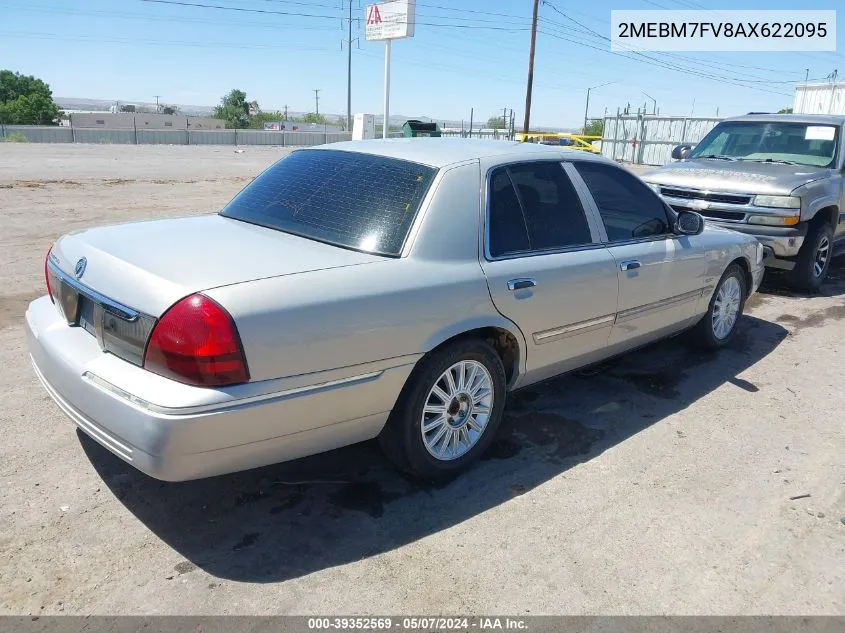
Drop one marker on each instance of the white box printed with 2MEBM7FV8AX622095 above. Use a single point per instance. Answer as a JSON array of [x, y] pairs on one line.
[[722, 30]]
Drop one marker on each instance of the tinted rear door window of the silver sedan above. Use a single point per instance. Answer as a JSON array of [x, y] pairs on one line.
[[534, 207]]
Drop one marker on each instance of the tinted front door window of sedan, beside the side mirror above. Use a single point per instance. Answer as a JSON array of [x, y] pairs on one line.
[[629, 209]]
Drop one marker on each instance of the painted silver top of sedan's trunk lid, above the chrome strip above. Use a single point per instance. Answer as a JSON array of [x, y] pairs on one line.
[[151, 265]]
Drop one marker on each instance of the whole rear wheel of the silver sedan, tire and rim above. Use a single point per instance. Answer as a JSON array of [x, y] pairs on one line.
[[449, 411]]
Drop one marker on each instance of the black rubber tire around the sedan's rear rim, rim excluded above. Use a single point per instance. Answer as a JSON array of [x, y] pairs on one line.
[[402, 438]]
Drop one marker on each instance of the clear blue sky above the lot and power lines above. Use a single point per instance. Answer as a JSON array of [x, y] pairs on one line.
[[466, 53]]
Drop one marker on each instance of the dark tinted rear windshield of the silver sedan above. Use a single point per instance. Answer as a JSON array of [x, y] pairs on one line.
[[353, 200]]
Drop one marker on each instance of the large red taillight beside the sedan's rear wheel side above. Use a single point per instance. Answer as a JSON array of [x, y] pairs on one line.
[[196, 342]]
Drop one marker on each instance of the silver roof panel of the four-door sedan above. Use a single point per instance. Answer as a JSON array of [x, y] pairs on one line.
[[440, 152]]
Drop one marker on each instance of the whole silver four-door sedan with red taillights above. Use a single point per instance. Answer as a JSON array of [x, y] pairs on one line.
[[394, 289]]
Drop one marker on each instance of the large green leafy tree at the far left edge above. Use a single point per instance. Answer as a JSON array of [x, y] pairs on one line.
[[25, 100]]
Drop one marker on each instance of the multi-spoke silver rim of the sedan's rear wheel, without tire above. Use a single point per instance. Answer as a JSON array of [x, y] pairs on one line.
[[457, 410]]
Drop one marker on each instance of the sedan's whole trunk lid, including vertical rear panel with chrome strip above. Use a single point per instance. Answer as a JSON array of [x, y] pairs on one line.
[[116, 281]]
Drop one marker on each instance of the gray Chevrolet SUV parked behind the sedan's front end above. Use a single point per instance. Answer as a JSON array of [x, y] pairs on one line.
[[778, 177]]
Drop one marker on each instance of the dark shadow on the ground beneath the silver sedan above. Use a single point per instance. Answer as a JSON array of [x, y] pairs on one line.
[[285, 521]]
